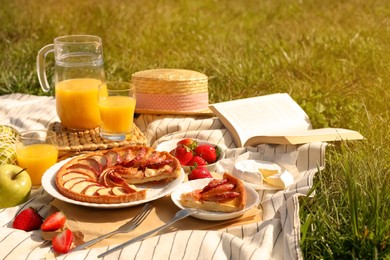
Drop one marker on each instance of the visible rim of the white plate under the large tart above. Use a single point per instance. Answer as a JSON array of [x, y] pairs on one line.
[[154, 191]]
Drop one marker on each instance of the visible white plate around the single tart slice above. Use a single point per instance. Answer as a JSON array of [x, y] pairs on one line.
[[252, 200]]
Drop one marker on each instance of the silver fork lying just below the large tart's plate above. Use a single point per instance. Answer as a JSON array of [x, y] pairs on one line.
[[125, 228]]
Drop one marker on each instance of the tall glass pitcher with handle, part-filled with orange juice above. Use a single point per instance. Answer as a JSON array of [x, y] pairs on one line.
[[78, 73]]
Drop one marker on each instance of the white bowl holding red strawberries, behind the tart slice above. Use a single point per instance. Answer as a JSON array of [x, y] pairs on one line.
[[193, 153]]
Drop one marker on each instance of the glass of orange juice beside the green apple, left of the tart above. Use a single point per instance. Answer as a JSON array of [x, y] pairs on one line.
[[36, 150]]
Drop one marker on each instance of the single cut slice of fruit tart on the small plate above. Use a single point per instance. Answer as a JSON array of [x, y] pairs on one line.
[[221, 195]]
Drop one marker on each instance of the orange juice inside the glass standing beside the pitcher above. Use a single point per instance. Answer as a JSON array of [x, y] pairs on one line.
[[117, 113]]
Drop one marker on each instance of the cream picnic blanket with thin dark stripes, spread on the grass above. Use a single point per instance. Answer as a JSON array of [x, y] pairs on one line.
[[275, 236]]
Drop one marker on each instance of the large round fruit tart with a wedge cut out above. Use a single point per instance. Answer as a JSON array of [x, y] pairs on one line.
[[110, 176]]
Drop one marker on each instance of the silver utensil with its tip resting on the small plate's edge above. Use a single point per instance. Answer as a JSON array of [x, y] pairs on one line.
[[178, 216]]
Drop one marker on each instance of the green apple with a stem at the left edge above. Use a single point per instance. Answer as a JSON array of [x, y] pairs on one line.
[[15, 185]]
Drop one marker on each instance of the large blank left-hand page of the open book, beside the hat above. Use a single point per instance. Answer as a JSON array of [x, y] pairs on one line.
[[270, 115]]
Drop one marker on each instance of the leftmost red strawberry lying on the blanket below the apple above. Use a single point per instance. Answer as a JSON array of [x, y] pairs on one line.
[[27, 220]]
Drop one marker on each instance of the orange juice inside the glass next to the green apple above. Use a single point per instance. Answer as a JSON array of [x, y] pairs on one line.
[[37, 158]]
